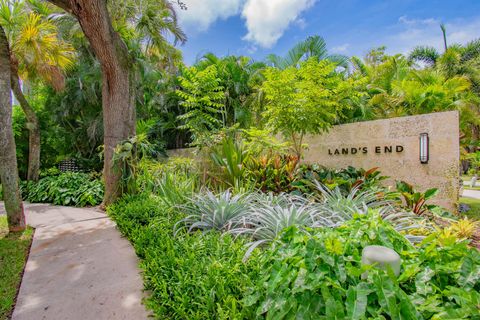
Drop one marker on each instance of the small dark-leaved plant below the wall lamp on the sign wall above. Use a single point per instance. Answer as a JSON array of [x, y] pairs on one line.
[[416, 201]]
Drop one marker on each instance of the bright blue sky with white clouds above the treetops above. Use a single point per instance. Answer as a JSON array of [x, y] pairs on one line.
[[257, 28]]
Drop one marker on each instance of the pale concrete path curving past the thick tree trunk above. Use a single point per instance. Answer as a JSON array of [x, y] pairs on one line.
[[79, 268]]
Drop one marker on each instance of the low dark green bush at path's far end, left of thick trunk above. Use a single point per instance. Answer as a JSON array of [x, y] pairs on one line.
[[69, 189]]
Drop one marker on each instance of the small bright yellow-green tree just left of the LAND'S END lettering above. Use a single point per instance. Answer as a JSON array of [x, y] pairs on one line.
[[303, 100]]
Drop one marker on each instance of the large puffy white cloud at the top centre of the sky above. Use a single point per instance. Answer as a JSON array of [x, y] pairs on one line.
[[267, 20]]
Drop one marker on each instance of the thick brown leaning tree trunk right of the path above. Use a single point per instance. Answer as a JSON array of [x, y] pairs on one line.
[[118, 96]]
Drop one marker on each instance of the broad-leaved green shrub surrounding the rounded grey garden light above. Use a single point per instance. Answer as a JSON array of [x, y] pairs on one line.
[[320, 276]]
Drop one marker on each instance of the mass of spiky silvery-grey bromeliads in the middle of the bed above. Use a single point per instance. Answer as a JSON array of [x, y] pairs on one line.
[[262, 217]]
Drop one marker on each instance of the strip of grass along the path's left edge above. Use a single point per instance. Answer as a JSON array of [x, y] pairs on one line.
[[13, 252]]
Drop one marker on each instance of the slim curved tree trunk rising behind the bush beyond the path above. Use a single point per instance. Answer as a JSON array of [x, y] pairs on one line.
[[33, 125]]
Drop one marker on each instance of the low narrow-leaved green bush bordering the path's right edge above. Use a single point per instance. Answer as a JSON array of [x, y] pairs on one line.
[[189, 276]]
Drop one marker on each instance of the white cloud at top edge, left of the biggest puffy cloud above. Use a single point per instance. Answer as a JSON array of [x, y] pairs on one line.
[[200, 14]]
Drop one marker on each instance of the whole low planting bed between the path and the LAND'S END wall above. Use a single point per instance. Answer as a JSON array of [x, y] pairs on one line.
[[240, 253]]
